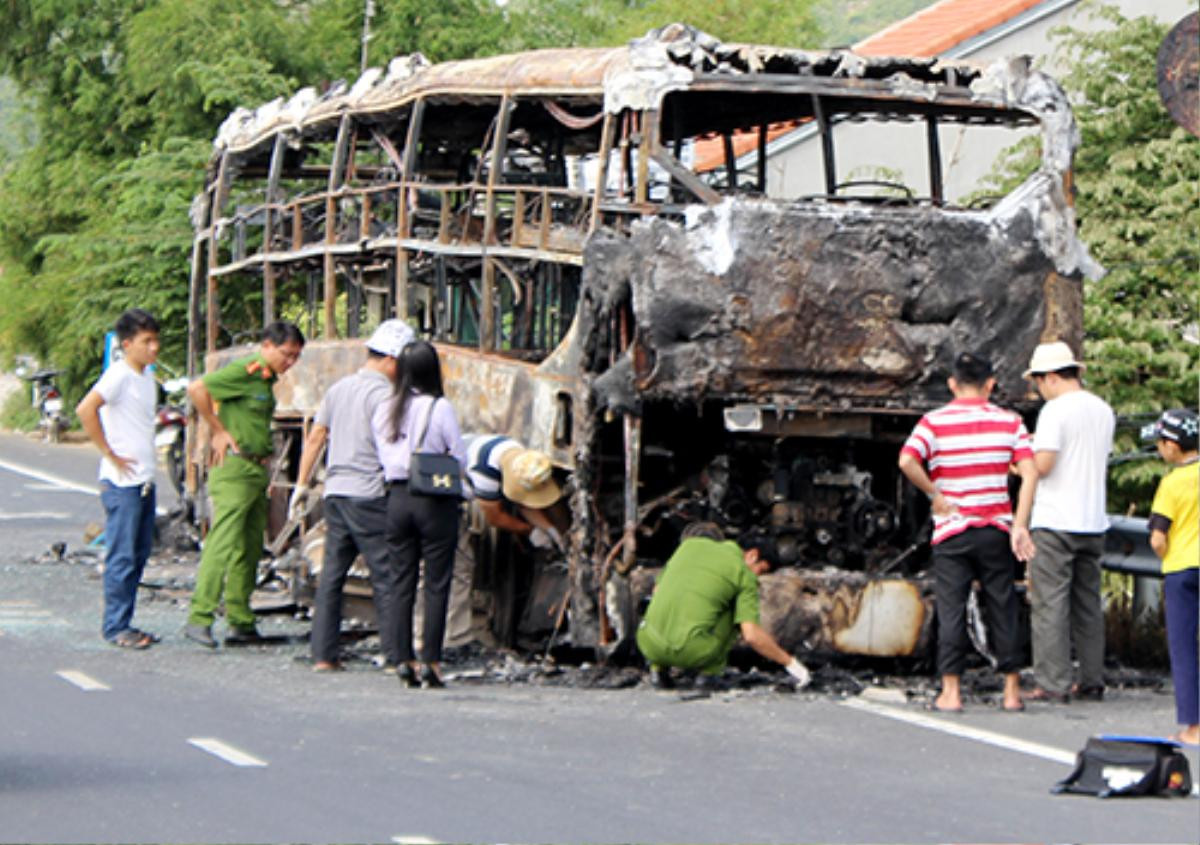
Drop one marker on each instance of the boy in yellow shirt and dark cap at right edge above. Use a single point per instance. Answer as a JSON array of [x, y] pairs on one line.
[[1175, 538]]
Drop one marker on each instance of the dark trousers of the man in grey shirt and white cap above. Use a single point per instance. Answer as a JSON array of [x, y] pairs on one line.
[[356, 526]]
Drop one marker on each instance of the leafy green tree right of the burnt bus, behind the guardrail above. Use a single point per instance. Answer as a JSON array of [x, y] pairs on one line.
[[1137, 200]]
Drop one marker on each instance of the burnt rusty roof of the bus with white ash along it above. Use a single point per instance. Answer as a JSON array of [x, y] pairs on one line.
[[634, 77]]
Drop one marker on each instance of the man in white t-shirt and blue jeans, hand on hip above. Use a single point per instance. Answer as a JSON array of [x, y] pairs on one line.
[[118, 415]]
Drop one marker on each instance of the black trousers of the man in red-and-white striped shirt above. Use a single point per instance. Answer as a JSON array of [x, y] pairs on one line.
[[983, 555]]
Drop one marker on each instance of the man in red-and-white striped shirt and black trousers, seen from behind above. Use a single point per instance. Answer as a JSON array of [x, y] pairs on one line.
[[961, 456]]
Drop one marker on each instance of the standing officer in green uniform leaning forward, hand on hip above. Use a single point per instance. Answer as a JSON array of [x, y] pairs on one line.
[[238, 403]]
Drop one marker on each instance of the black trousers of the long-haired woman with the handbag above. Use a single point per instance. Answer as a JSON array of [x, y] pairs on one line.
[[423, 528]]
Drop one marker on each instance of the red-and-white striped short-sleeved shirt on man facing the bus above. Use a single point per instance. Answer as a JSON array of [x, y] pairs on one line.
[[968, 448]]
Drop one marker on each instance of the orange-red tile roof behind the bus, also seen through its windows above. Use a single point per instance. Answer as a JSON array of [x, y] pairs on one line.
[[928, 33]]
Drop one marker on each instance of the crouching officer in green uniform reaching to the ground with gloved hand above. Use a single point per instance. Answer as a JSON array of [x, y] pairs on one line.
[[707, 595]]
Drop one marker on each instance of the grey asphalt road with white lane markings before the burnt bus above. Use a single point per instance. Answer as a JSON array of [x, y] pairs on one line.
[[182, 745]]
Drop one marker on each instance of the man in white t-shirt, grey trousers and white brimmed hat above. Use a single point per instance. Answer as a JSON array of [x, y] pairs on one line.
[[1071, 450]]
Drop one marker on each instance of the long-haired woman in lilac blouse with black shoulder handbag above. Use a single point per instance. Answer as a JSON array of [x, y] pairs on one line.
[[422, 452]]
